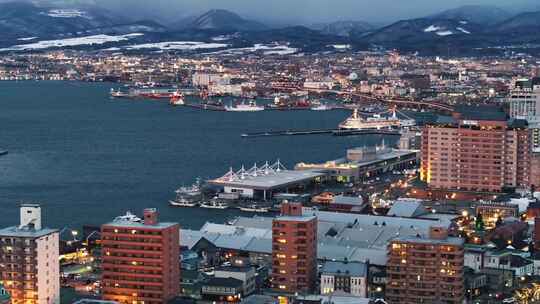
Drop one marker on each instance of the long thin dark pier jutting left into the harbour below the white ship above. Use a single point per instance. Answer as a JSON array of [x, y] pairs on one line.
[[334, 132]]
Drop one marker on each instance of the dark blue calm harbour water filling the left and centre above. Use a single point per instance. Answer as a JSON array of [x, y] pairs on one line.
[[87, 158]]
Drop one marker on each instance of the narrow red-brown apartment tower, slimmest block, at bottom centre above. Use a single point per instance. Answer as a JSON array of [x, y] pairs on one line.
[[294, 250]]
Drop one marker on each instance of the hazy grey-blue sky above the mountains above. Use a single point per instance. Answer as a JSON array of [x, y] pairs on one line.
[[301, 11]]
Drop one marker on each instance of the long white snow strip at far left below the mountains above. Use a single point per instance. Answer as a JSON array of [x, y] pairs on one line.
[[87, 40]]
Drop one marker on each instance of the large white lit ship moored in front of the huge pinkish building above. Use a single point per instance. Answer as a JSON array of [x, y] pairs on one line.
[[356, 122]]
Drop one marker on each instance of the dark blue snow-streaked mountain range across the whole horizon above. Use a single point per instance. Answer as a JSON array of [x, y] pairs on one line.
[[462, 29]]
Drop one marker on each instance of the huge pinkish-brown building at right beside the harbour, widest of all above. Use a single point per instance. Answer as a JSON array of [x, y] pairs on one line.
[[480, 150]]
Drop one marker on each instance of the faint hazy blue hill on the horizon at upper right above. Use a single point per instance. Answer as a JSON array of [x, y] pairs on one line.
[[479, 14]]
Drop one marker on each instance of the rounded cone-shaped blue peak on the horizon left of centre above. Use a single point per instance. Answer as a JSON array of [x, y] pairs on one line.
[[220, 20]]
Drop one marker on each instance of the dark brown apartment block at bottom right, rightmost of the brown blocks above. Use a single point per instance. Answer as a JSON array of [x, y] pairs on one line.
[[425, 270]]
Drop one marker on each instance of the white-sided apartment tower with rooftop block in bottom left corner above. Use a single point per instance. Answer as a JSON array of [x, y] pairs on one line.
[[29, 260]]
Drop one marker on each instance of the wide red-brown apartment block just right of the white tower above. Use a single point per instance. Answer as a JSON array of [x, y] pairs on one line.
[[140, 260]]
